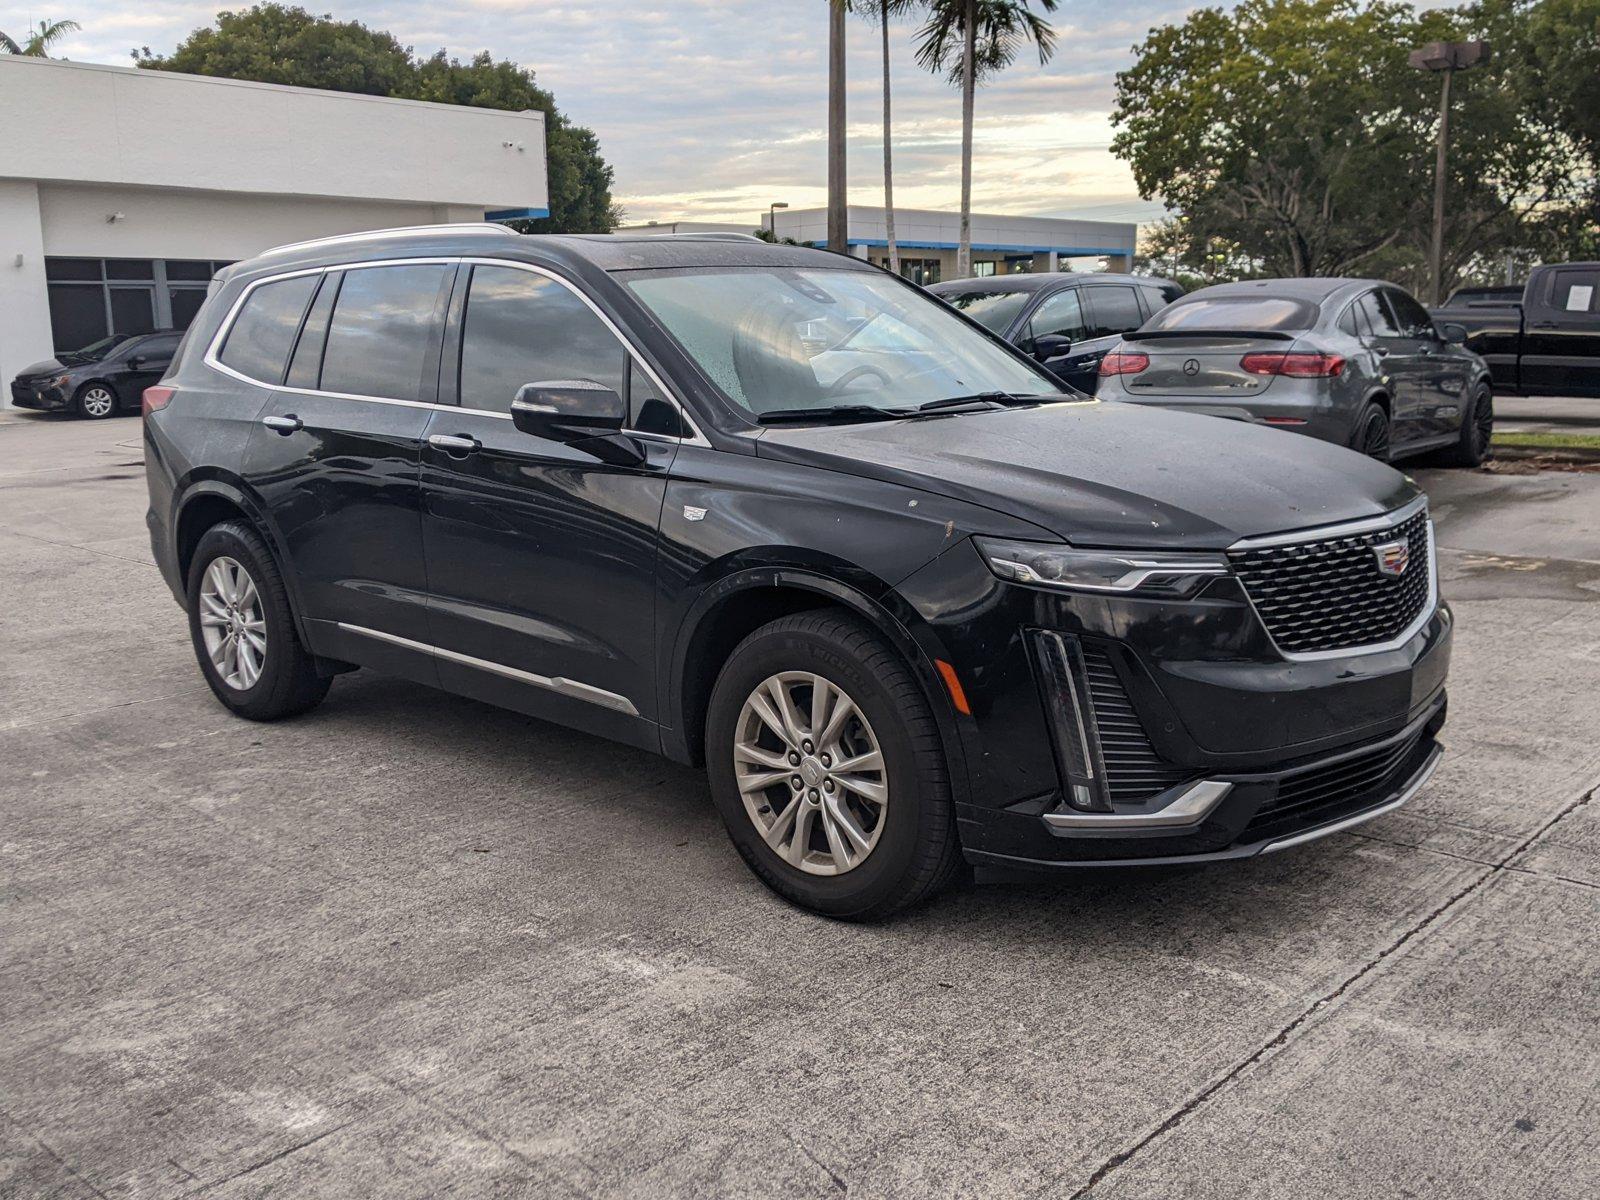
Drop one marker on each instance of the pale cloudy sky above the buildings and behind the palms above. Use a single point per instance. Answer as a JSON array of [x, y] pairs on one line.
[[711, 110]]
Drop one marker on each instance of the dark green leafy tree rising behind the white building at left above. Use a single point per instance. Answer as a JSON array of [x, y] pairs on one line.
[[279, 44]]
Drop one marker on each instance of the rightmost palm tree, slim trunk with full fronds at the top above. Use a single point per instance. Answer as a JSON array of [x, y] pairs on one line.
[[972, 41]]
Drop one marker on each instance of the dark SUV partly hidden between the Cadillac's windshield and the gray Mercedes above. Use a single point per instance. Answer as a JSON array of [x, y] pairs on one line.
[[1066, 321]]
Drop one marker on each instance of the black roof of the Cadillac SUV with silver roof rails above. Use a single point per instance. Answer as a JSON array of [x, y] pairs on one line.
[[606, 252]]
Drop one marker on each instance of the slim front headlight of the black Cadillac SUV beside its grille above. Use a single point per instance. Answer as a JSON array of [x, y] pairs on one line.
[[1143, 572]]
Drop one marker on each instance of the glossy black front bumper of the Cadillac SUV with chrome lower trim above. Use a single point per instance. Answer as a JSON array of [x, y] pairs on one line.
[[1234, 748]]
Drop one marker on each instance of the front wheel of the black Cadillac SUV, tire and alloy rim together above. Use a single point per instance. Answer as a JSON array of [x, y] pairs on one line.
[[828, 769]]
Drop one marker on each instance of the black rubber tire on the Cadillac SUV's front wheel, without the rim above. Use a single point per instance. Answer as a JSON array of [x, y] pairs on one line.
[[918, 850]]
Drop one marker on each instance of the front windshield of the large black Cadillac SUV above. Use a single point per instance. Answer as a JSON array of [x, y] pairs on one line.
[[778, 340]]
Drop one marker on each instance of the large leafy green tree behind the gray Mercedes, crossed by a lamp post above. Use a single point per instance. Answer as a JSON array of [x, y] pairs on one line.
[[1298, 129]]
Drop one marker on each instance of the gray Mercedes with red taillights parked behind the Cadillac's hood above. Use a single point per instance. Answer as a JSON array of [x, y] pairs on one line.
[[1356, 362]]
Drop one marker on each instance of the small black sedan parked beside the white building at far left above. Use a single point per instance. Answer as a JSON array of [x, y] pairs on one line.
[[98, 382]]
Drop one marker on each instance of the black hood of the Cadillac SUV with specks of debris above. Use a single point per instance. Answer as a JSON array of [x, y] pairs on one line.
[[1111, 474]]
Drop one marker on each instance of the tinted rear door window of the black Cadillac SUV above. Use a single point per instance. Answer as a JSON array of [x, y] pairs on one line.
[[382, 332]]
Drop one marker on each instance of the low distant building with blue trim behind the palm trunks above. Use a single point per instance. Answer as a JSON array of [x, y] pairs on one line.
[[927, 241]]
